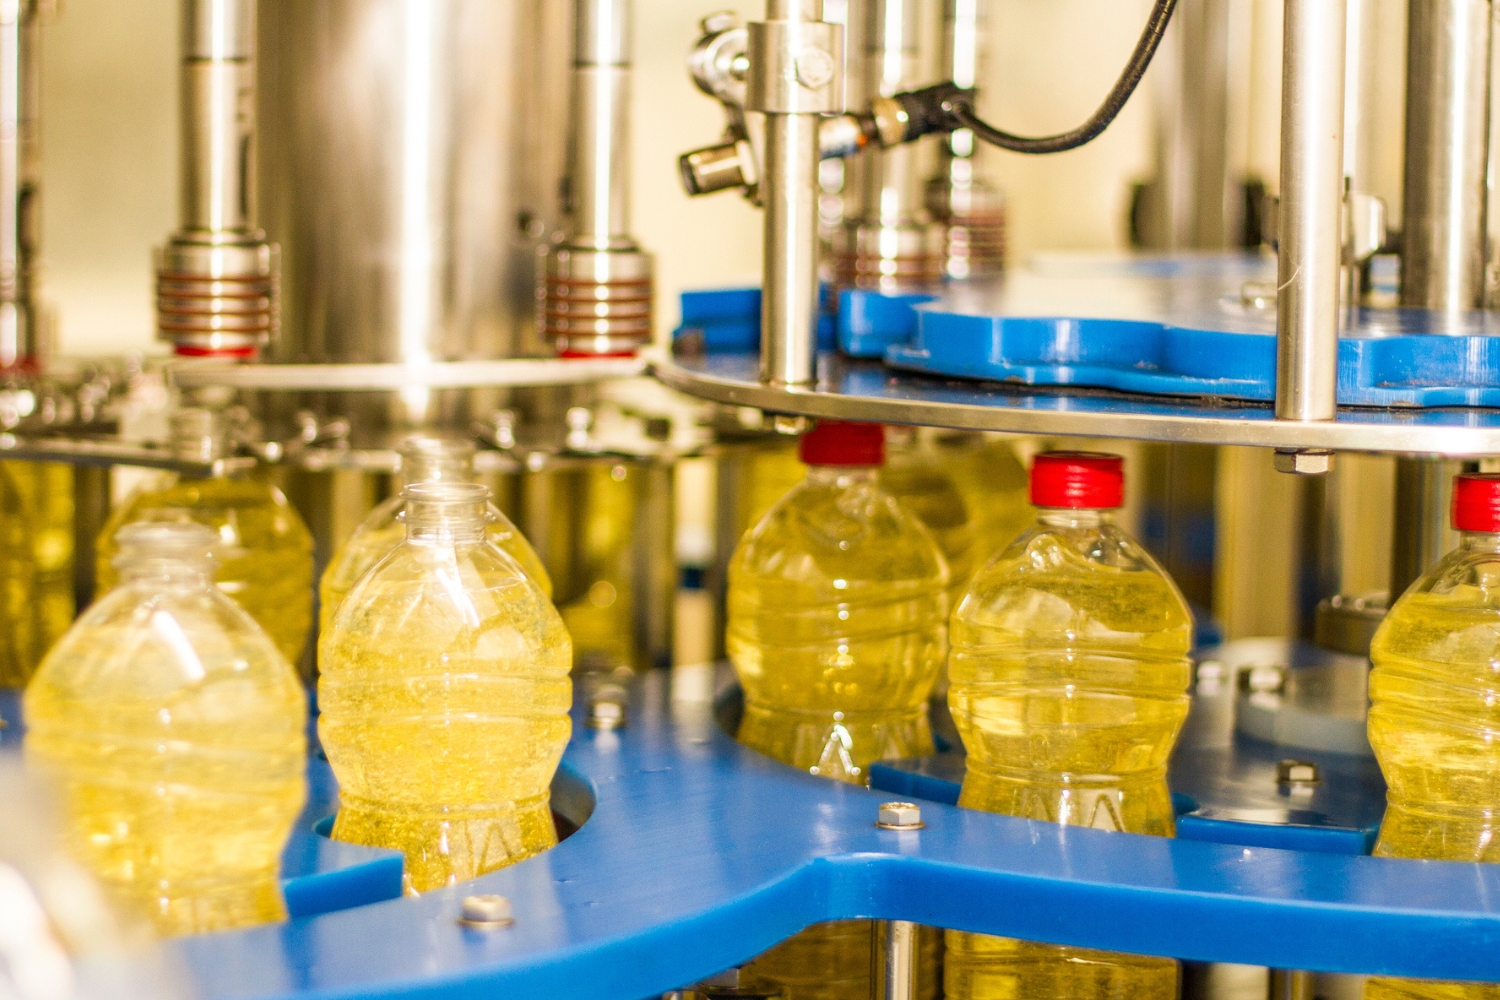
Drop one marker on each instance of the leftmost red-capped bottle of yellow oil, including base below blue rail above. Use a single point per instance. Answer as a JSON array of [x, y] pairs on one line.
[[838, 614]]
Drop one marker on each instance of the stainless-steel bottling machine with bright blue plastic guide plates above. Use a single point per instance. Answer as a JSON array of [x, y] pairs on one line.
[[374, 241]]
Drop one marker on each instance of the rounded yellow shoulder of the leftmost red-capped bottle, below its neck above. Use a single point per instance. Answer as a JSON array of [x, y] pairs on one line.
[[841, 537]]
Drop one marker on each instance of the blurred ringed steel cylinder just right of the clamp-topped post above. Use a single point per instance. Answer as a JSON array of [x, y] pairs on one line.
[[893, 244]]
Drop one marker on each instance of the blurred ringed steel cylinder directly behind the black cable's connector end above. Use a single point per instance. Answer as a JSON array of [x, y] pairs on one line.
[[968, 206]]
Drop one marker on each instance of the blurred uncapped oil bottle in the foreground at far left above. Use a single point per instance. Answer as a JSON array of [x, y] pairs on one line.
[[176, 734]]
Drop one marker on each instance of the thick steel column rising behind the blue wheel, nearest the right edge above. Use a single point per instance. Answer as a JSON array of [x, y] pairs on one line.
[[1447, 154]]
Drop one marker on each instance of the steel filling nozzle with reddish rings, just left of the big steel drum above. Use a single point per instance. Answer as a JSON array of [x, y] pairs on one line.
[[217, 278]]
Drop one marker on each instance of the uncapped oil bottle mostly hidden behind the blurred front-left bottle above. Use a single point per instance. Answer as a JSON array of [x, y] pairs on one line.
[[265, 546]]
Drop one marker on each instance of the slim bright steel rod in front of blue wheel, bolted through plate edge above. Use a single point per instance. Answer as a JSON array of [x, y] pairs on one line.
[[1312, 209]]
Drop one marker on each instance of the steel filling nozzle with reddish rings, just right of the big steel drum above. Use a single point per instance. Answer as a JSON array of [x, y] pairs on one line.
[[598, 287]]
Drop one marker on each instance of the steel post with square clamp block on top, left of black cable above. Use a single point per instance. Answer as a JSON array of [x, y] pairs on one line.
[[796, 79]]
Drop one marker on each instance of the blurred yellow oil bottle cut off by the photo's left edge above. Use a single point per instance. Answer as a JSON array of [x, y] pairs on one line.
[[37, 564]]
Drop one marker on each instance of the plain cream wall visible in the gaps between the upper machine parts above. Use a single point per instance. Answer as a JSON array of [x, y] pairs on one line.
[[110, 146]]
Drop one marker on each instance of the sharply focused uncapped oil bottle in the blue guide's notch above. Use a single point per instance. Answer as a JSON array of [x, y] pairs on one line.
[[445, 695]]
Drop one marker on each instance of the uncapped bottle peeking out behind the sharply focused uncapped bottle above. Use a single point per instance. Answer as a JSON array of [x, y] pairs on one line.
[[422, 461]]
